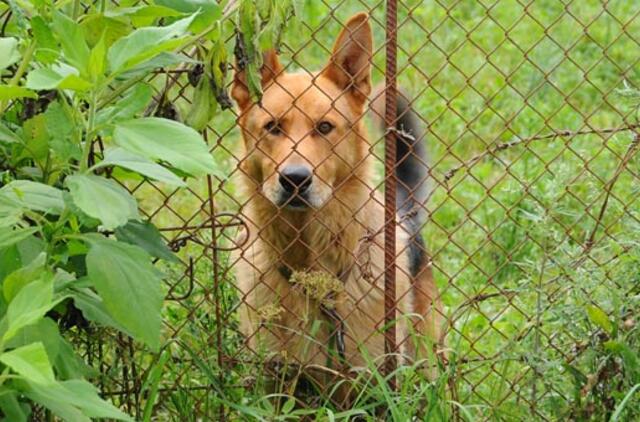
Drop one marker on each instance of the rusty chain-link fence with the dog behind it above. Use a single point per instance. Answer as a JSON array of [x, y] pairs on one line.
[[521, 302]]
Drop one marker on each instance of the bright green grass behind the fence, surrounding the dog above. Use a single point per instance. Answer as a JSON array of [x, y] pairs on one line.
[[509, 236]]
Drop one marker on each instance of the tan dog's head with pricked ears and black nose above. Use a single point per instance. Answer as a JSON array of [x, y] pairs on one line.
[[305, 137]]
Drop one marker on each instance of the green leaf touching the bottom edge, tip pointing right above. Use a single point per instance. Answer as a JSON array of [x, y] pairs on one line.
[[74, 400]]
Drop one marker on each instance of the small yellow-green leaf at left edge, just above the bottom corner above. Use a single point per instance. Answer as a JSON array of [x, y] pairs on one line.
[[31, 362]]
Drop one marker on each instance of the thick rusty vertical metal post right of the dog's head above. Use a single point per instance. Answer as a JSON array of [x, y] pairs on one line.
[[390, 193]]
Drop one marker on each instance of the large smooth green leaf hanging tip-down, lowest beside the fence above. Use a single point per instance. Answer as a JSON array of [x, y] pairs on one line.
[[129, 285]]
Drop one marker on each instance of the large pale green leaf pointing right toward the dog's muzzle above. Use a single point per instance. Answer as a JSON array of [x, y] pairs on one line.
[[163, 139]]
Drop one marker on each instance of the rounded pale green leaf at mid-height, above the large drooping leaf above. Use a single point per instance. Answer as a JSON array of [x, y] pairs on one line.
[[103, 199]]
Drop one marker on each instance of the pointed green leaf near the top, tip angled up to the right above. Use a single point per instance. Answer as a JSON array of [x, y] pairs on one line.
[[145, 43]]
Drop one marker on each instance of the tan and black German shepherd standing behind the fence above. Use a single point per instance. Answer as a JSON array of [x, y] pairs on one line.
[[311, 210]]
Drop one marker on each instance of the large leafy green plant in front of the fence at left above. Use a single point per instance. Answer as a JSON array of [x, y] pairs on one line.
[[72, 99]]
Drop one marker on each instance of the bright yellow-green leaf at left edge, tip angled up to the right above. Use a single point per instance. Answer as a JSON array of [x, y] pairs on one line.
[[30, 304]]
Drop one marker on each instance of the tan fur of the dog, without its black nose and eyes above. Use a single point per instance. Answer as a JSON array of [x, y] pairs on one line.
[[344, 229]]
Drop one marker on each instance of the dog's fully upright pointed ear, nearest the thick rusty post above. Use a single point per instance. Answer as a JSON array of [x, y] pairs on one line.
[[350, 63]]
